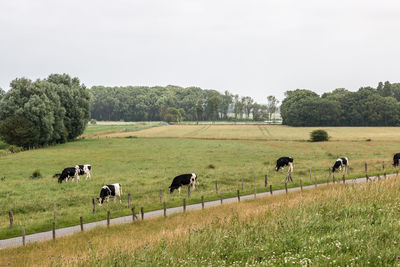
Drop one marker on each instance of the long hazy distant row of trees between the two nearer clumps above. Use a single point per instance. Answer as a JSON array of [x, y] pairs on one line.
[[174, 103]]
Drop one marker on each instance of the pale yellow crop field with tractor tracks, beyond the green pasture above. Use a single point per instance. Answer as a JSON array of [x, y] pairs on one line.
[[267, 132]]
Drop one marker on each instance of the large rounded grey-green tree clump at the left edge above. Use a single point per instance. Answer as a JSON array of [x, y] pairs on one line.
[[43, 112]]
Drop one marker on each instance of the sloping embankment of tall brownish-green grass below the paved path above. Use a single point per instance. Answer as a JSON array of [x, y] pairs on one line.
[[354, 225]]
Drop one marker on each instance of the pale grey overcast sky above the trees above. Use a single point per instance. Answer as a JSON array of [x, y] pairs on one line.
[[253, 47]]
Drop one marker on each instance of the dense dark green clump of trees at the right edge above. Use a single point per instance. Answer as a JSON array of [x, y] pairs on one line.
[[368, 106]]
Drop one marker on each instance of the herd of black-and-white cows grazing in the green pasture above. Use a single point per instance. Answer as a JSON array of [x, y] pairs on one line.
[[190, 179]]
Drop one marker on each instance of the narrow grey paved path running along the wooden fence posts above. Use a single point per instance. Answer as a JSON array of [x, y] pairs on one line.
[[17, 241]]
